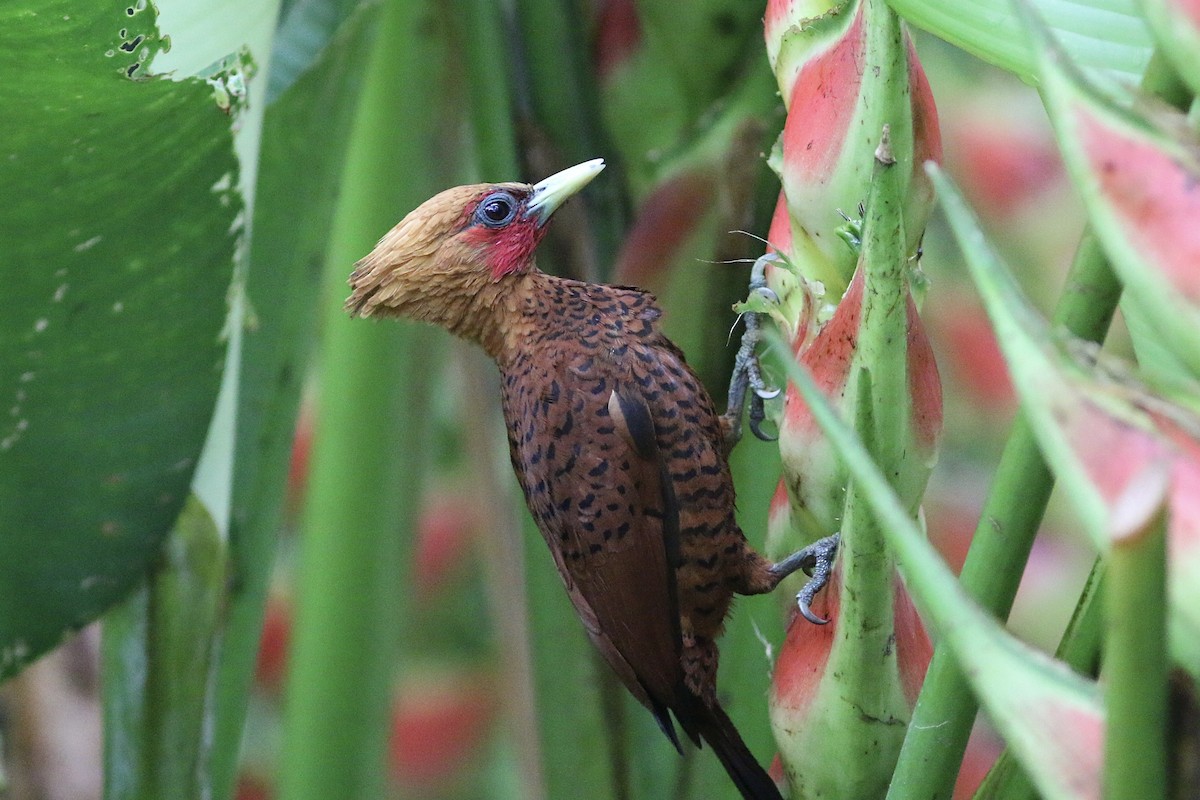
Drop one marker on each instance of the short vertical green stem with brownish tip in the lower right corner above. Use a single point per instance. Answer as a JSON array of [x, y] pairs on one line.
[[1136, 666]]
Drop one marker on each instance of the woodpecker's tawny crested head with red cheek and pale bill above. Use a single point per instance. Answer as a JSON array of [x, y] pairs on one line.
[[459, 245]]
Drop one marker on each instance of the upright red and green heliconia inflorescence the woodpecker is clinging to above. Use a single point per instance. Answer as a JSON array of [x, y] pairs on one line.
[[860, 128]]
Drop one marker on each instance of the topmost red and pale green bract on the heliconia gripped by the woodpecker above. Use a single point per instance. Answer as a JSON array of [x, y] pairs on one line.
[[841, 89]]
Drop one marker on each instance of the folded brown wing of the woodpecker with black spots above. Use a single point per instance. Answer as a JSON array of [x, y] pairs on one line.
[[585, 448]]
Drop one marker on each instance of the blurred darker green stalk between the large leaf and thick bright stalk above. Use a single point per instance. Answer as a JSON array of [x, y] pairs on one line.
[[310, 124]]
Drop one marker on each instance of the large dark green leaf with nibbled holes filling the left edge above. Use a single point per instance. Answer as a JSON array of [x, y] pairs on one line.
[[119, 251]]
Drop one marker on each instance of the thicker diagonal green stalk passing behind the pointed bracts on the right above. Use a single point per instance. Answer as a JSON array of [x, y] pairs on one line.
[[946, 709]]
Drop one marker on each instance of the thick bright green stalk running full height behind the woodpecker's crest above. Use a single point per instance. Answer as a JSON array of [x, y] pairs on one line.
[[364, 467]]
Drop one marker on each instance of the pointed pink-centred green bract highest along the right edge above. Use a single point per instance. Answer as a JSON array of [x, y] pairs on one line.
[[1137, 166]]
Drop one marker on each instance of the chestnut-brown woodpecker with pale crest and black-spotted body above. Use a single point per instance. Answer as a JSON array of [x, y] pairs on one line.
[[617, 447]]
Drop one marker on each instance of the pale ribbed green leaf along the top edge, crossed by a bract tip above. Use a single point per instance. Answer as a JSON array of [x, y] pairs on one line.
[[1106, 35]]
